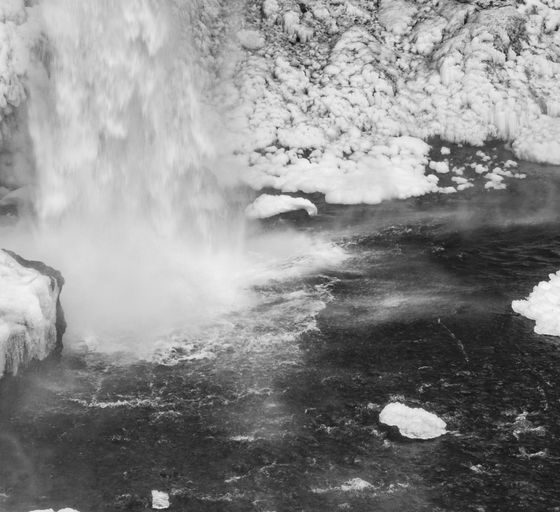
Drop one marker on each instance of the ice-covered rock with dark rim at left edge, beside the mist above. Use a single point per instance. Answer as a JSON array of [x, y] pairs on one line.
[[31, 318]]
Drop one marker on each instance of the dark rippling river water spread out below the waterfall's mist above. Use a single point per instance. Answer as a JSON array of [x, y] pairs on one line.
[[276, 408]]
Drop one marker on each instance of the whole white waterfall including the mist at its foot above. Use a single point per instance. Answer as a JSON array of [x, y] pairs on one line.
[[132, 200]]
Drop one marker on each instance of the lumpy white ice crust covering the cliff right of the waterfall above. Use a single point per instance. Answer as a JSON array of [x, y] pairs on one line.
[[337, 85]]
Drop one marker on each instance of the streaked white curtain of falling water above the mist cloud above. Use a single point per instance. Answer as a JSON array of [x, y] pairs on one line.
[[118, 126]]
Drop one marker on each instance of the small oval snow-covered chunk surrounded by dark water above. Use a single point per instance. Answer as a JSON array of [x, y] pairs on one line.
[[414, 423]]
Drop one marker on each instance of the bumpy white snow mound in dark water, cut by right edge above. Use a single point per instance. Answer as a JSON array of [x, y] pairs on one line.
[[543, 306]]
